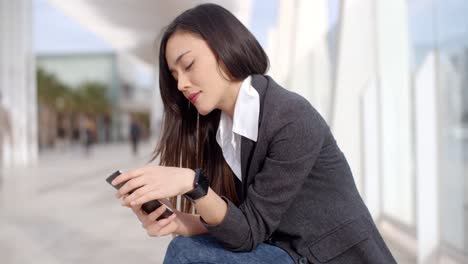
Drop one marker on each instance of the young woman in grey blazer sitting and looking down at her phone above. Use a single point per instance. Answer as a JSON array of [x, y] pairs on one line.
[[257, 162]]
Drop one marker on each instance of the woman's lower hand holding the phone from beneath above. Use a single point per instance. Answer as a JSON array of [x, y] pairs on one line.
[[155, 228]]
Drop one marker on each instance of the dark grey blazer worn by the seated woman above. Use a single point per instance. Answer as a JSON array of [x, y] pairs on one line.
[[298, 192]]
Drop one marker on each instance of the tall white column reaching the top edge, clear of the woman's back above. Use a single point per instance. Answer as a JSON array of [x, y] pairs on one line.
[[395, 97]]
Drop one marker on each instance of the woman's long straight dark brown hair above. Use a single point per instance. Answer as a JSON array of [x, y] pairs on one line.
[[187, 139]]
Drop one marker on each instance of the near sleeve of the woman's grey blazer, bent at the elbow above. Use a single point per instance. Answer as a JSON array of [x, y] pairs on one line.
[[292, 152]]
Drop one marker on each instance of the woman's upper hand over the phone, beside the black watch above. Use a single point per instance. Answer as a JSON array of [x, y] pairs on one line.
[[154, 182]]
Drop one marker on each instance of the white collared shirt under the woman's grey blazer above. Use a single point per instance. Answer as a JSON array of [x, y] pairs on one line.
[[244, 123]]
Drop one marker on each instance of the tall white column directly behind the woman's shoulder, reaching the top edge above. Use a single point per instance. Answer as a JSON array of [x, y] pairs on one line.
[[356, 67]]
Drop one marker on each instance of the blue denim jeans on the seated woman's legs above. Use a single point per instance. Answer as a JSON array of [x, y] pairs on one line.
[[204, 249]]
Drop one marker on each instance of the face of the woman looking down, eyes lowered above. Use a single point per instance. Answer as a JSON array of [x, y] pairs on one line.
[[195, 68]]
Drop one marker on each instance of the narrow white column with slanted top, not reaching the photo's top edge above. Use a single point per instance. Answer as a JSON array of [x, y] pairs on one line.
[[427, 160]]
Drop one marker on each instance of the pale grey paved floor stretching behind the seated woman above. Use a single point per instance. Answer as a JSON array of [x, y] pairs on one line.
[[62, 211]]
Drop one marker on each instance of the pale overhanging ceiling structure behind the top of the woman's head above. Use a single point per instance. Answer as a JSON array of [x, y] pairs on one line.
[[134, 26]]
